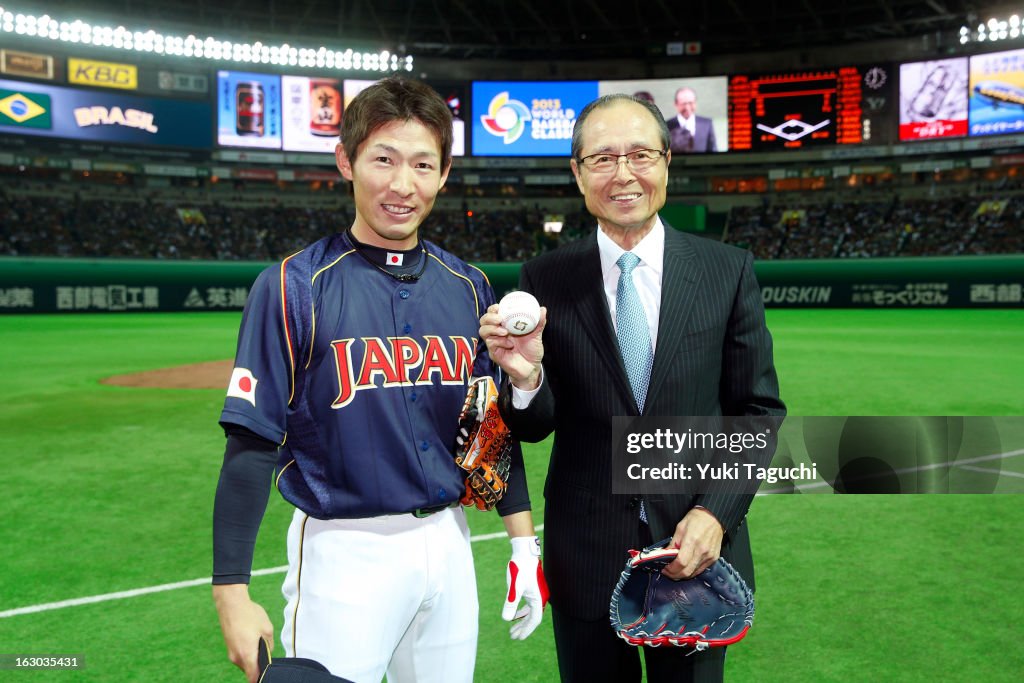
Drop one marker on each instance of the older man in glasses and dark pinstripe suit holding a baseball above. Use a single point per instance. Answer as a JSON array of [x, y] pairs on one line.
[[695, 310]]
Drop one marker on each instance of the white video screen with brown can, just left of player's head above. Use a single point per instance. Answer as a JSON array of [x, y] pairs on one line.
[[311, 113]]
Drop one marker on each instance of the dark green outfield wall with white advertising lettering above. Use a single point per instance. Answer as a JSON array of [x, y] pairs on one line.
[[58, 285]]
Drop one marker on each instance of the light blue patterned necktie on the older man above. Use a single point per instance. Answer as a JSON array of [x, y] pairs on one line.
[[631, 327]]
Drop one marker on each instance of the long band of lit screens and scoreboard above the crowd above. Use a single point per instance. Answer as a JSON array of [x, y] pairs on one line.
[[855, 105]]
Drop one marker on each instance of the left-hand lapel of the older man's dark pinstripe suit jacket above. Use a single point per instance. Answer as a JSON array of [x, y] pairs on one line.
[[588, 285]]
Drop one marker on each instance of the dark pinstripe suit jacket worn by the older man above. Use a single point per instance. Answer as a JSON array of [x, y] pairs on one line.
[[714, 357]]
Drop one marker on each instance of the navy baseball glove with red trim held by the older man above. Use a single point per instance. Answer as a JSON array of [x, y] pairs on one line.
[[713, 610]]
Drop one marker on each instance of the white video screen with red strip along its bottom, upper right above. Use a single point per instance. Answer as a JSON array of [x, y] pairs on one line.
[[933, 100]]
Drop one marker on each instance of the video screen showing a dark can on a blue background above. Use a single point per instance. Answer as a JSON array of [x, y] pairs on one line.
[[249, 110]]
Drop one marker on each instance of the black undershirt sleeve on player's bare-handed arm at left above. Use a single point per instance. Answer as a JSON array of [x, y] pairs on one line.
[[243, 492]]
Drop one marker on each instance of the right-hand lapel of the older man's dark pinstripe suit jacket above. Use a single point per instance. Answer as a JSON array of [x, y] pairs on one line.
[[680, 278]]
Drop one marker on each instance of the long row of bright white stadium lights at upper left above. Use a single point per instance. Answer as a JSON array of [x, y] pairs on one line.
[[193, 48]]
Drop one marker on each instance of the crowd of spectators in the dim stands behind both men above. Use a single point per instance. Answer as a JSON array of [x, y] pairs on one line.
[[83, 225]]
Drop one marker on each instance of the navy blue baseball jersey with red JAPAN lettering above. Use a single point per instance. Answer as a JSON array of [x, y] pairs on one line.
[[361, 377]]
